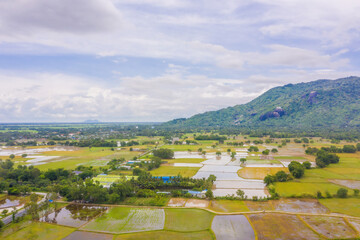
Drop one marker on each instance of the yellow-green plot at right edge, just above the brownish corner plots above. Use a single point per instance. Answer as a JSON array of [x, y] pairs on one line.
[[349, 206]]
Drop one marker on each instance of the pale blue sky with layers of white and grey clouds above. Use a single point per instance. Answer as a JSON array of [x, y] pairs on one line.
[[156, 60]]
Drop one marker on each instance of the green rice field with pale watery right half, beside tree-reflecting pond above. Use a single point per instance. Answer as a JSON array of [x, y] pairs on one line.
[[124, 220]]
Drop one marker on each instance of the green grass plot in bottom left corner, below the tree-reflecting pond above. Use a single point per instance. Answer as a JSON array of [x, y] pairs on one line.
[[41, 231]]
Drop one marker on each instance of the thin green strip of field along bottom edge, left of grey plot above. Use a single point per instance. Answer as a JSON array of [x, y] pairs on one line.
[[166, 235]]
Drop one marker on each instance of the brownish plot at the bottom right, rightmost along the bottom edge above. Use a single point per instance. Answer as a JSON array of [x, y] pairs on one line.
[[330, 227]]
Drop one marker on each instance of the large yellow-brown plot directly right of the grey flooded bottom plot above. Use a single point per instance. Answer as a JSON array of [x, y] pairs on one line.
[[281, 226]]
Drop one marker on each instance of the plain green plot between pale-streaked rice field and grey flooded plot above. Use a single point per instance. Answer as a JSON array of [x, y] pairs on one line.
[[187, 220]]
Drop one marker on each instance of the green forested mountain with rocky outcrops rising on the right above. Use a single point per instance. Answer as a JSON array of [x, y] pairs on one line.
[[326, 104]]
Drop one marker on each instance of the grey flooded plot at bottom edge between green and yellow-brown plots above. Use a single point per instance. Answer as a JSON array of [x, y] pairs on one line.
[[232, 227]]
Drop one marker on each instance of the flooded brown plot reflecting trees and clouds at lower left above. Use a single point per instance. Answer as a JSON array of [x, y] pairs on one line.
[[73, 215]]
